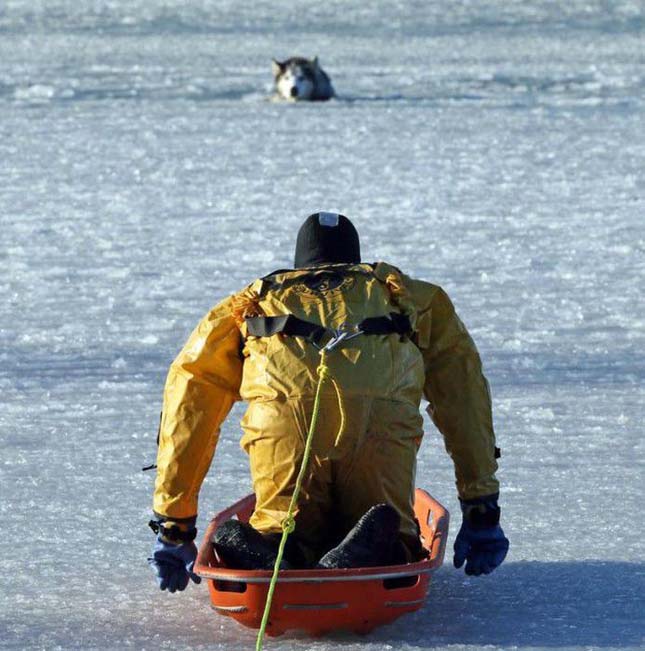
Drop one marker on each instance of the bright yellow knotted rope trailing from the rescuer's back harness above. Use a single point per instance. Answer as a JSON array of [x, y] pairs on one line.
[[289, 524]]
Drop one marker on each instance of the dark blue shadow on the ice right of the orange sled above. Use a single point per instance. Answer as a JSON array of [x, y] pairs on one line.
[[527, 604]]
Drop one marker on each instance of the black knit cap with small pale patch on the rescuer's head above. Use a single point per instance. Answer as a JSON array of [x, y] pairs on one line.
[[327, 238]]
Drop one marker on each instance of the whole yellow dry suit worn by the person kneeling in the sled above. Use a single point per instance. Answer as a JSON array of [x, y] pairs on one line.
[[262, 345]]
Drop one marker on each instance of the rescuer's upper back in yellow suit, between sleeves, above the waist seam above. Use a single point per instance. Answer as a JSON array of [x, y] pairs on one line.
[[322, 301]]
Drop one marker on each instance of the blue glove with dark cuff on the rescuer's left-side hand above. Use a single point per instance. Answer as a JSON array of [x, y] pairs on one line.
[[173, 559]]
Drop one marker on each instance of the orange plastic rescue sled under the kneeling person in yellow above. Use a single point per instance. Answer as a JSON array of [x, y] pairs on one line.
[[320, 601]]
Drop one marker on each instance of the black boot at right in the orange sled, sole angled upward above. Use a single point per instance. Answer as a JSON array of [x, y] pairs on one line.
[[372, 542]]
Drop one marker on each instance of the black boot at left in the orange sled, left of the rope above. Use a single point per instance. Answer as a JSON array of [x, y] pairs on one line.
[[241, 547]]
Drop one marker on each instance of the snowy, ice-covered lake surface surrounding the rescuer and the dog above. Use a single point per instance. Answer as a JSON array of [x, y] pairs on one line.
[[494, 148]]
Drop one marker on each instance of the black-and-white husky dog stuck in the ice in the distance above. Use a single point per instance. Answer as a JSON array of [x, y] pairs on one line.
[[301, 79]]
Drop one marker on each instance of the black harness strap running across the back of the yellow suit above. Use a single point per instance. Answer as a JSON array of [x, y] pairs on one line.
[[291, 325]]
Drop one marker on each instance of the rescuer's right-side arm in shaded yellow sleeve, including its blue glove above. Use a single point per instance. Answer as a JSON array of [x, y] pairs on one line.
[[460, 406]]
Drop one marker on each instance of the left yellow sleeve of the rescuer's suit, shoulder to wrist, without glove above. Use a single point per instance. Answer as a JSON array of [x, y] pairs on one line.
[[201, 387]]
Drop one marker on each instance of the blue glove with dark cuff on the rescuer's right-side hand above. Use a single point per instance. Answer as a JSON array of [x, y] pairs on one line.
[[481, 543]]
